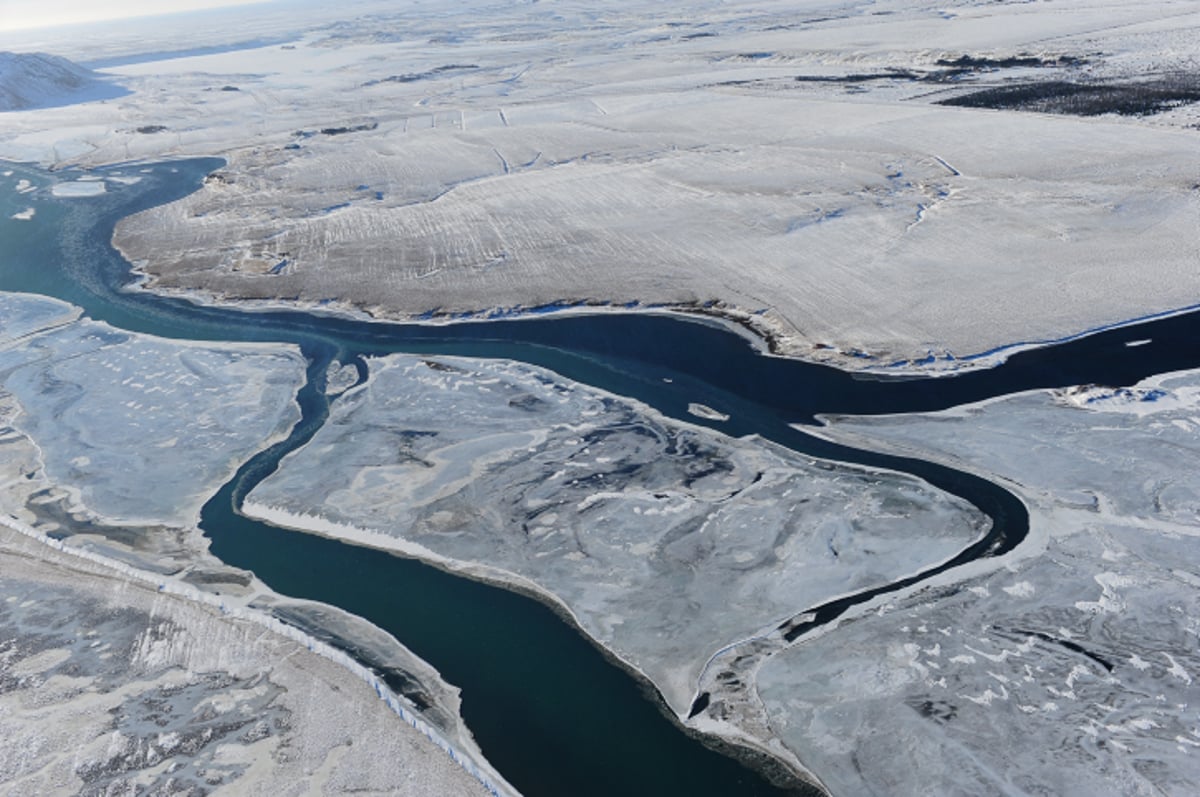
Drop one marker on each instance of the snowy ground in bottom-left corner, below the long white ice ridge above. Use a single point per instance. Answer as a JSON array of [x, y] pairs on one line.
[[271, 708]]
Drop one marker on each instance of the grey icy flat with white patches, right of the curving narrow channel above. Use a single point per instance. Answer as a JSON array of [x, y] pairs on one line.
[[1071, 668]]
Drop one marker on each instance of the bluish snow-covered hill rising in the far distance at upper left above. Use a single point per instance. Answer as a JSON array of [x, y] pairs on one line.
[[41, 81]]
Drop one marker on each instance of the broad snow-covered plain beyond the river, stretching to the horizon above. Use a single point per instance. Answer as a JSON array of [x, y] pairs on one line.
[[785, 160]]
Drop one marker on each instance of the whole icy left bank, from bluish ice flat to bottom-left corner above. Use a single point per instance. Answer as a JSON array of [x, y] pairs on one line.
[[130, 656]]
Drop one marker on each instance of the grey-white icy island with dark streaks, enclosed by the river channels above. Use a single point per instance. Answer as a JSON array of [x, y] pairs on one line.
[[664, 542]]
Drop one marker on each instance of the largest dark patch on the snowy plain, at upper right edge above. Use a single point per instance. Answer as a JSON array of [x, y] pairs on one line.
[[1139, 99]]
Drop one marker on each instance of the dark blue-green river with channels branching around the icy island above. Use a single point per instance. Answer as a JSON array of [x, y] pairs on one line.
[[550, 712]]
